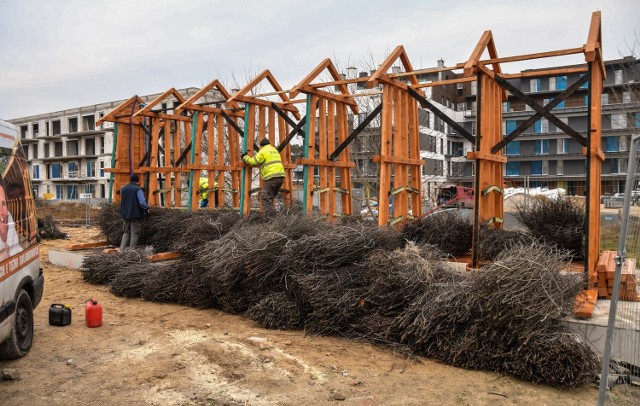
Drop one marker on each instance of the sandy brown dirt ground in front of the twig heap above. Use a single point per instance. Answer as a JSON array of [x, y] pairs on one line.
[[161, 354]]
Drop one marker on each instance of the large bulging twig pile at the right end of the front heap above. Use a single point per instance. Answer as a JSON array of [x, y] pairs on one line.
[[506, 318]]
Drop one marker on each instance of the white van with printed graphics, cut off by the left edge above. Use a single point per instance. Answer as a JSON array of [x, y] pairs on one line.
[[21, 278]]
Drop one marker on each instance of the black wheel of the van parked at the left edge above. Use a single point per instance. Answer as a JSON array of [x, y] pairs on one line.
[[19, 341]]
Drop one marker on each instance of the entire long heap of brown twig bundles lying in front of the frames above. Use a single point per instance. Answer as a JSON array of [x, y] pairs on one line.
[[352, 280]]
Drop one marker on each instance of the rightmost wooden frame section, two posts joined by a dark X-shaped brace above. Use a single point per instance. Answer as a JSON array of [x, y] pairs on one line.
[[492, 85]]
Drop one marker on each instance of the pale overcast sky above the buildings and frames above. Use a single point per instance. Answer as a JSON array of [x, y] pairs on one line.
[[63, 54]]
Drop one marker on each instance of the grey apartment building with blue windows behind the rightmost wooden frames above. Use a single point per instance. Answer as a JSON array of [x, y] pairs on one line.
[[544, 156]]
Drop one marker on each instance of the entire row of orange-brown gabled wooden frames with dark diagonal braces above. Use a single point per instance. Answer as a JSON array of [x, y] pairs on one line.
[[399, 158]]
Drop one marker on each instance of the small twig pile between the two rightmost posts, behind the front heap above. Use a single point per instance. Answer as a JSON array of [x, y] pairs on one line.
[[558, 222]]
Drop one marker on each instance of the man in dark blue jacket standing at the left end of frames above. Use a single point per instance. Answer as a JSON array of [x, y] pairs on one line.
[[133, 208]]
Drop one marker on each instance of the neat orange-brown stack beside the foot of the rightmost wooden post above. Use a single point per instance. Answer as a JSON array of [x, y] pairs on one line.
[[629, 280]]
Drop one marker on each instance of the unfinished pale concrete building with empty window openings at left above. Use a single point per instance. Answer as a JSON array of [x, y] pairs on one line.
[[68, 153]]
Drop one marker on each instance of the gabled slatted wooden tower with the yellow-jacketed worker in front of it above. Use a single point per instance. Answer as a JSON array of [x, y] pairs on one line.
[[265, 119]]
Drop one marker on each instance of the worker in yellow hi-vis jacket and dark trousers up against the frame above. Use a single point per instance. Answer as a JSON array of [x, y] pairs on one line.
[[271, 171]]
